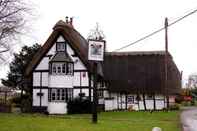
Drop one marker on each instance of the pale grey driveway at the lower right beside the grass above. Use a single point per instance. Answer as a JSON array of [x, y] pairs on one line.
[[189, 119]]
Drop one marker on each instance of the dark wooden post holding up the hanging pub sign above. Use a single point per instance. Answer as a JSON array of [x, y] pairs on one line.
[[95, 97]]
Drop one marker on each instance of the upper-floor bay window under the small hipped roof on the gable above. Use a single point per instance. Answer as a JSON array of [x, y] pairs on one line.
[[62, 68]]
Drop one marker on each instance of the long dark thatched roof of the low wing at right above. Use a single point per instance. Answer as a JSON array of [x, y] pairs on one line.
[[140, 72]]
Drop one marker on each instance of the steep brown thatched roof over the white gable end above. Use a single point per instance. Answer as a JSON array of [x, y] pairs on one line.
[[75, 40]]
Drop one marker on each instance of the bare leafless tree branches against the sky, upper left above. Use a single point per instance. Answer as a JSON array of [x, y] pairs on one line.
[[13, 16]]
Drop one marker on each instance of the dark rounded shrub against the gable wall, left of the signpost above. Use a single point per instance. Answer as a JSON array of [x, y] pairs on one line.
[[80, 106]]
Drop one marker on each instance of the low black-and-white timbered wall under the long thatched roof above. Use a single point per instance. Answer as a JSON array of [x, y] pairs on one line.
[[116, 101]]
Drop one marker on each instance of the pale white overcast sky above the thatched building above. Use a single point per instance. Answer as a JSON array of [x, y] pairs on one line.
[[124, 21]]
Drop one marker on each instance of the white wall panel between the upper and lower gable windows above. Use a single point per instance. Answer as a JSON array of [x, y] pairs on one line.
[[61, 81]]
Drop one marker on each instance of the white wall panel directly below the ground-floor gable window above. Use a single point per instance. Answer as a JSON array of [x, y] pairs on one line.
[[57, 108]]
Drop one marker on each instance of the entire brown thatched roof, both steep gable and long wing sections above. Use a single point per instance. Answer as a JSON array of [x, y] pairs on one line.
[[124, 71]]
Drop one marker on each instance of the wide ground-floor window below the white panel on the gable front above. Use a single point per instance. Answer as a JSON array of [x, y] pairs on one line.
[[60, 95]]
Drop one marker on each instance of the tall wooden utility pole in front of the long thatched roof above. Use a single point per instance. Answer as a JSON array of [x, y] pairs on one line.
[[166, 62]]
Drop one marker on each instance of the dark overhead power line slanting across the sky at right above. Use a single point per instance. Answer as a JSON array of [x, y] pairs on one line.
[[157, 31]]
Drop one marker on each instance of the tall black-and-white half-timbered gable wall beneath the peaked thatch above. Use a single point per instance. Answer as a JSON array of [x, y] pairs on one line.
[[42, 80]]
